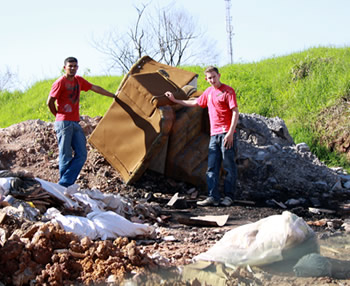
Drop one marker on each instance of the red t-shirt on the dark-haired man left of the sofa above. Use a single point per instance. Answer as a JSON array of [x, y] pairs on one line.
[[67, 94]]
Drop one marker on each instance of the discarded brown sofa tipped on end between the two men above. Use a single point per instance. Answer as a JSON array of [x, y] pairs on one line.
[[143, 129]]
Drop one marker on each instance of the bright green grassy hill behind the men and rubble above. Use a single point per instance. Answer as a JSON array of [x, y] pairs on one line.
[[297, 88]]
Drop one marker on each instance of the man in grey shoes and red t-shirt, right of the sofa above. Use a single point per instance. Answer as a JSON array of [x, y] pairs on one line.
[[223, 115]]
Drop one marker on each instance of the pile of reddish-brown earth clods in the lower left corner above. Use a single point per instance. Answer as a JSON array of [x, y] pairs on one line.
[[46, 254]]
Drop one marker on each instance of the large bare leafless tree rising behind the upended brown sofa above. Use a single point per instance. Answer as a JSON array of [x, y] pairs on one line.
[[171, 37]]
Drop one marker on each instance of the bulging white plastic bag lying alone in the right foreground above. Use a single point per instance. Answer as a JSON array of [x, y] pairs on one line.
[[261, 242]]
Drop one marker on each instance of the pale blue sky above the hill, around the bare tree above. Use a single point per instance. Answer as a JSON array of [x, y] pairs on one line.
[[37, 35]]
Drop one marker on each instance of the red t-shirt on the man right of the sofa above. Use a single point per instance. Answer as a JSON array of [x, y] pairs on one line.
[[220, 103]]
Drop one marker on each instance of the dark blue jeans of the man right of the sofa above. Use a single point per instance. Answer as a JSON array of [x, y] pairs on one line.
[[219, 154]]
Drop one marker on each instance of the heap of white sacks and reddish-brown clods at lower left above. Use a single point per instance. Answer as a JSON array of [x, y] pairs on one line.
[[73, 236]]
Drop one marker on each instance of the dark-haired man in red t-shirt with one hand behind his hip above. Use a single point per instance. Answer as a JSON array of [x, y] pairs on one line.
[[63, 102]]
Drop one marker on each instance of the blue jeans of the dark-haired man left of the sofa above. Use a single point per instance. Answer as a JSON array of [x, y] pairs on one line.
[[70, 138]]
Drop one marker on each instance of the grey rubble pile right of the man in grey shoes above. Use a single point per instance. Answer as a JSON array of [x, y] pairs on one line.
[[273, 168]]
